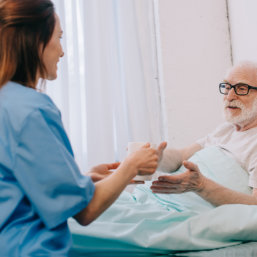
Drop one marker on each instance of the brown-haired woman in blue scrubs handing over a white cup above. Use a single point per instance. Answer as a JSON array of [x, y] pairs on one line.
[[40, 183]]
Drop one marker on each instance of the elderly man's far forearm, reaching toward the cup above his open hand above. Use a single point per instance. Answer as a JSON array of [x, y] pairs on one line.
[[172, 159]]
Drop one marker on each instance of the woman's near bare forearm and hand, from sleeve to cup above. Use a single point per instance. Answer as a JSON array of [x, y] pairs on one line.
[[142, 162]]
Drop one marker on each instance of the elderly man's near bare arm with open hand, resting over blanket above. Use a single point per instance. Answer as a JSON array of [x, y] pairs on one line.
[[193, 180]]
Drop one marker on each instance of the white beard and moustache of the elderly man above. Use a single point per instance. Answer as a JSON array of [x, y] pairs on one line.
[[246, 116]]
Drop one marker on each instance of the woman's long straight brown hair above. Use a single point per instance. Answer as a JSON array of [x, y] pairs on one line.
[[26, 26]]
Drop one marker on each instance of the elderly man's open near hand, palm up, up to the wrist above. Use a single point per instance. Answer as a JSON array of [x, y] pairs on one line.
[[190, 180]]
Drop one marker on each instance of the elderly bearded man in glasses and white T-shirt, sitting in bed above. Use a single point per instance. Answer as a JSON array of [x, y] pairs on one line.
[[238, 137]]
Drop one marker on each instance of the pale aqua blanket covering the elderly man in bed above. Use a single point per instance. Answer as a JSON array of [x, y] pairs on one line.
[[144, 221]]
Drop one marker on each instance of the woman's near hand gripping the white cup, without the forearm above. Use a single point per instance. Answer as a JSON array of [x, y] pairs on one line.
[[144, 160]]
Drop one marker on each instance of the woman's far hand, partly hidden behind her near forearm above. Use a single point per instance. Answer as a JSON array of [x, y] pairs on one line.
[[102, 171]]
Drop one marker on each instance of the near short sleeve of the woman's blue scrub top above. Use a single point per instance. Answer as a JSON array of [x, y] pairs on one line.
[[45, 168]]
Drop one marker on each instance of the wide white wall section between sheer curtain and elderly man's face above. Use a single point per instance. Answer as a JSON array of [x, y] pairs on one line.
[[195, 53]]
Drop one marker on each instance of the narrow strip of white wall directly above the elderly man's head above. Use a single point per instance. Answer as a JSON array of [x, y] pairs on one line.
[[243, 23]]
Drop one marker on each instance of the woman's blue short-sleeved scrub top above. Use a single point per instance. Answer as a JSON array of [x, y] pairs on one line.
[[40, 184]]
